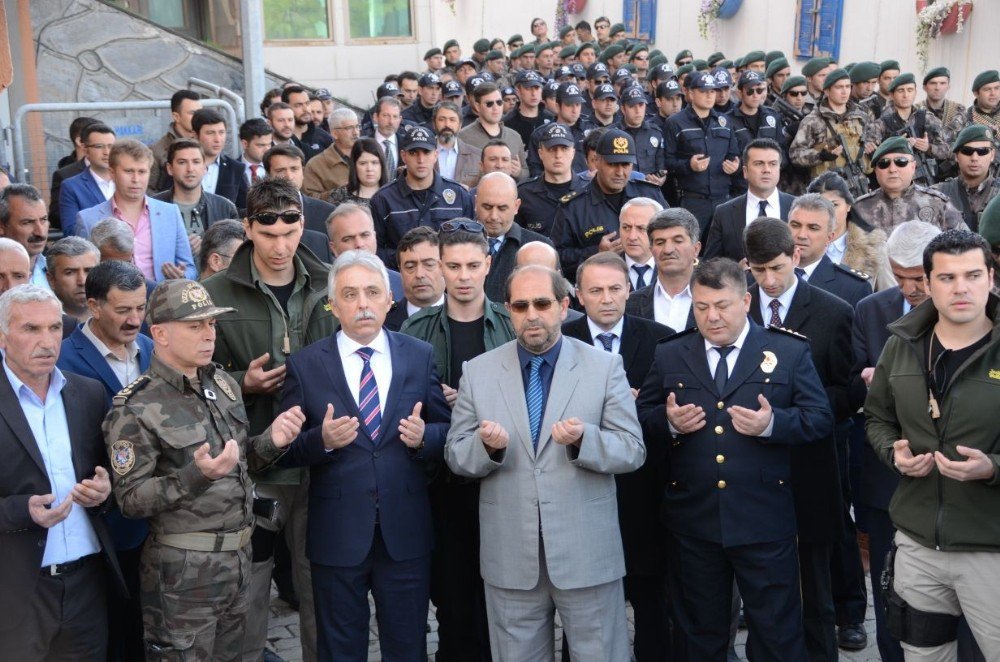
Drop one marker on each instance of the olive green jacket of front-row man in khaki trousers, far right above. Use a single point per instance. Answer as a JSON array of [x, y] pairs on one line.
[[936, 511]]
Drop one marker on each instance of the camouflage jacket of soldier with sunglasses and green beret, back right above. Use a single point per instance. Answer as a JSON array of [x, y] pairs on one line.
[[917, 203]]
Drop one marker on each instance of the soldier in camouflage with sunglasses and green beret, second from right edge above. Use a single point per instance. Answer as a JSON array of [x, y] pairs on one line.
[[898, 199]]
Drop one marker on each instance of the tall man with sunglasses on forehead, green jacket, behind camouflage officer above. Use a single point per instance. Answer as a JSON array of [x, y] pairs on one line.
[[278, 289]]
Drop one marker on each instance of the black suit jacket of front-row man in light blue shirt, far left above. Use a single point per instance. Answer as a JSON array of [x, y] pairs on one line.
[[23, 474]]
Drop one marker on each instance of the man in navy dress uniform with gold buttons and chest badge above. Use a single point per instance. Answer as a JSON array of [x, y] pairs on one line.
[[731, 397]]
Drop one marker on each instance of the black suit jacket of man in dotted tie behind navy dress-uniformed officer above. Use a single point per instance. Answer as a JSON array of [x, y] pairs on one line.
[[826, 321]]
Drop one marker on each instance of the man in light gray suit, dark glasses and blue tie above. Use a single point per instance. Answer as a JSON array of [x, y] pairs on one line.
[[544, 422]]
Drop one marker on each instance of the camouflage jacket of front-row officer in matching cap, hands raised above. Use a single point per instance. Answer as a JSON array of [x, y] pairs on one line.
[[152, 431]]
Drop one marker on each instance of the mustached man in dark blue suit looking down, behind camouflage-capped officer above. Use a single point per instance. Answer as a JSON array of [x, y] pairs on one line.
[[110, 349]]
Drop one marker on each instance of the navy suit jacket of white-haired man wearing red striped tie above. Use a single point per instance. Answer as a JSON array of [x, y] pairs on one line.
[[349, 485]]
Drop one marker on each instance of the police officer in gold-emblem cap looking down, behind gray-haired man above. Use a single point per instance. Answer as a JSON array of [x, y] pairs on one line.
[[587, 220]]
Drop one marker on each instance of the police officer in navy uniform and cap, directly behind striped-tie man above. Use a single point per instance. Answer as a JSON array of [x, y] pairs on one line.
[[420, 197]]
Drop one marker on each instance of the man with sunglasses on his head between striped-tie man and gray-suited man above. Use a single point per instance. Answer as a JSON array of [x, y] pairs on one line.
[[467, 325]]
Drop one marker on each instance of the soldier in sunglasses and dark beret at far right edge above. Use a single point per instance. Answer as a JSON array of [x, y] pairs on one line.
[[975, 184]]
